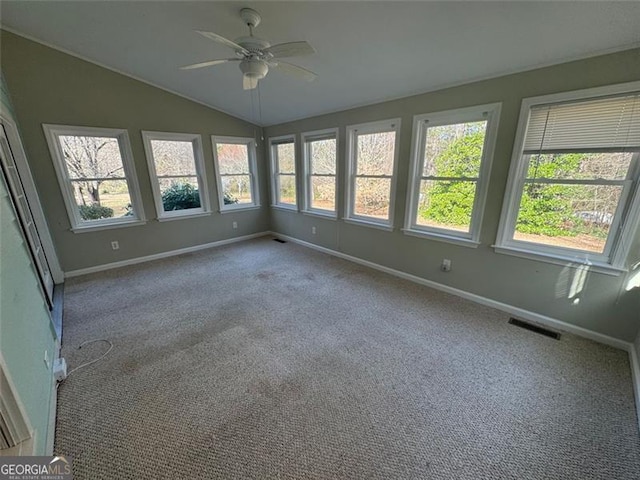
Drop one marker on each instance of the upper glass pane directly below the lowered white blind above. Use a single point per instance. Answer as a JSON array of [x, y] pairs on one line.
[[609, 166]]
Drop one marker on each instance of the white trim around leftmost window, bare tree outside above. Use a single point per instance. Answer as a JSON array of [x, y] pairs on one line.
[[79, 225]]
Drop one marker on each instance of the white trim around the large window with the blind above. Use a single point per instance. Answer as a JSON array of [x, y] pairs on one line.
[[613, 262]]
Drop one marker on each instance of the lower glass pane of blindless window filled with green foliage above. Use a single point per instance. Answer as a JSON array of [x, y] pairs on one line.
[[445, 204]]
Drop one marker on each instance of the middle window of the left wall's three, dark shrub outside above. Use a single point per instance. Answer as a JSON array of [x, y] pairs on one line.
[[177, 174]]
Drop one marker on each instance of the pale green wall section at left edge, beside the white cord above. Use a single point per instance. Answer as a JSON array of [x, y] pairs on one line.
[[26, 331]]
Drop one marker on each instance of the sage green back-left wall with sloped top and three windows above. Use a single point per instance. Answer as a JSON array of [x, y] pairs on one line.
[[48, 86]]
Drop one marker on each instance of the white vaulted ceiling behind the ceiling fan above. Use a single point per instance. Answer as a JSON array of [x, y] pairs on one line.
[[366, 51]]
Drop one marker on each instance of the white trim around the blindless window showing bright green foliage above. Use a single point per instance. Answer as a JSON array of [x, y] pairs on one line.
[[490, 113]]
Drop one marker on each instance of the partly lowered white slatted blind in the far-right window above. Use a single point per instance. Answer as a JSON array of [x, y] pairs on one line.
[[604, 124]]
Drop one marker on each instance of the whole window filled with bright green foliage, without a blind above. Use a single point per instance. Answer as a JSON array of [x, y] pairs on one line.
[[451, 159]]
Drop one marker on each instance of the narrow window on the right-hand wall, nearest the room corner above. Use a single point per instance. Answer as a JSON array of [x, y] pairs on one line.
[[283, 168]]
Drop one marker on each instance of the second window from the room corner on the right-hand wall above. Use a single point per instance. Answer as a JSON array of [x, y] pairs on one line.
[[320, 159]]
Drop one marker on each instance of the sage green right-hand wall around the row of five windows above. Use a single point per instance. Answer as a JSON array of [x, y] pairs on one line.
[[605, 306]]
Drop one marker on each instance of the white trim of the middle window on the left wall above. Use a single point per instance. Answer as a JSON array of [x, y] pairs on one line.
[[203, 190]]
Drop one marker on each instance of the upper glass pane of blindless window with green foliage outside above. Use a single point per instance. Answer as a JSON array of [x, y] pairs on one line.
[[454, 150]]
